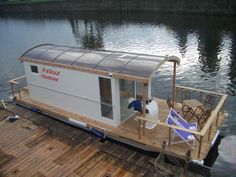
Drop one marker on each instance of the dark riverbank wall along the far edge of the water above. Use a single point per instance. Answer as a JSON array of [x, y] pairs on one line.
[[215, 7]]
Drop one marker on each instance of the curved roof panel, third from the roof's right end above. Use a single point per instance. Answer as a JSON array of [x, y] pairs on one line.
[[91, 59]]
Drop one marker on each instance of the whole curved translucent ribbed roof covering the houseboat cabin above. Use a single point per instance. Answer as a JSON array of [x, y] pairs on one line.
[[128, 64]]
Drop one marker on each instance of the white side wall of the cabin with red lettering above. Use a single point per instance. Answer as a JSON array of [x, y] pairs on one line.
[[74, 91]]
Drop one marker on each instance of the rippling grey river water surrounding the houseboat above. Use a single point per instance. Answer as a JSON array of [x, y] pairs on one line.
[[205, 44]]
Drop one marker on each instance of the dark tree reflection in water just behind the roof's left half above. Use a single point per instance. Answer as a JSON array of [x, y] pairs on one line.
[[90, 37]]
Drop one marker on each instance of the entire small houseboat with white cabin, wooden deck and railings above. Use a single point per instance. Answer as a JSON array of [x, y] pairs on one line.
[[109, 93]]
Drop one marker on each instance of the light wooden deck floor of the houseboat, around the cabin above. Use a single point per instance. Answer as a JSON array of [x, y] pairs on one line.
[[152, 139]]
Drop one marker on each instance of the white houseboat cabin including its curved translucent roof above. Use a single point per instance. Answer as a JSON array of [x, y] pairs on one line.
[[91, 83]]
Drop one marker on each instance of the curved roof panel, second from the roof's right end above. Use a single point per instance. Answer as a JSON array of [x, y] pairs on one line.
[[115, 62]]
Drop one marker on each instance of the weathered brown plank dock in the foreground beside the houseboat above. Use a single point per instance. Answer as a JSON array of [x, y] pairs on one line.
[[38, 146]]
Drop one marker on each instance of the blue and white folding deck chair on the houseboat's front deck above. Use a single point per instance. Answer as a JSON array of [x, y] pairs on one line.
[[175, 119]]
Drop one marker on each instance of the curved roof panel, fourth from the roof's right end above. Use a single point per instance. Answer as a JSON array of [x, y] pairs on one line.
[[70, 56]]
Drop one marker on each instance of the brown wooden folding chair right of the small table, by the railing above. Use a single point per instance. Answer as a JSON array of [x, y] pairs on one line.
[[205, 110]]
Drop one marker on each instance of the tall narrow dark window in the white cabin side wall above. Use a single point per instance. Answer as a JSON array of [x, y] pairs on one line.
[[106, 97]]
